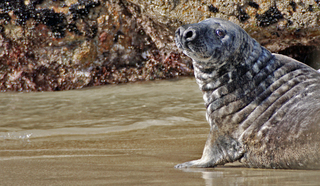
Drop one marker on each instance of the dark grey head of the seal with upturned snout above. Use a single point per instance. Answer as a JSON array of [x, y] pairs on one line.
[[213, 41]]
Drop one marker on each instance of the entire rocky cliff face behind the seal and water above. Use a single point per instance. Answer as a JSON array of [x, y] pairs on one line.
[[68, 44]]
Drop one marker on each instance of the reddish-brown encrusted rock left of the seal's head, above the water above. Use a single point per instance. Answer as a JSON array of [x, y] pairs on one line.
[[61, 45]]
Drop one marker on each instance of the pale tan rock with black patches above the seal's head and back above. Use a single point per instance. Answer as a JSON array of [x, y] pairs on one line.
[[287, 27]]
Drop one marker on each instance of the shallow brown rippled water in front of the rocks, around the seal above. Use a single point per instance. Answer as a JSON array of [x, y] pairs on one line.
[[117, 135]]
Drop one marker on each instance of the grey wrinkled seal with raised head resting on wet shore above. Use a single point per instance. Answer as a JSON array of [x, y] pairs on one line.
[[263, 108]]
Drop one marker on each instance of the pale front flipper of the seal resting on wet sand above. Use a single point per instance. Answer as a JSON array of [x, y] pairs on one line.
[[223, 150]]
